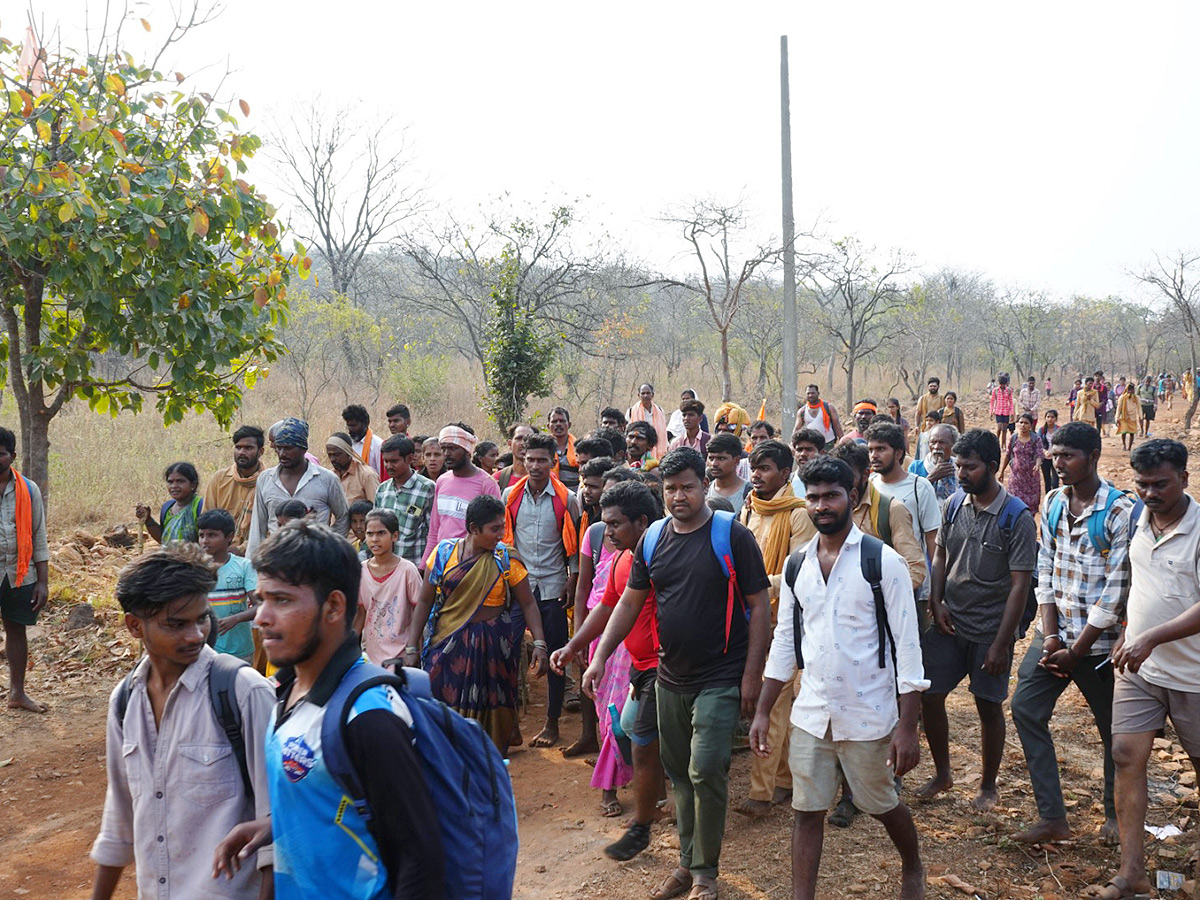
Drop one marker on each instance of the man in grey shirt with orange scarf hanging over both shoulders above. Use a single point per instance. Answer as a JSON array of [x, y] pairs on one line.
[[542, 524]]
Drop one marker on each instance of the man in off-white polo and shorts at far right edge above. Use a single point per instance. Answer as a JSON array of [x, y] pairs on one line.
[[1159, 658]]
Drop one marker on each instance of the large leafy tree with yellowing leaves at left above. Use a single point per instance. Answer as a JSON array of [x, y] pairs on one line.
[[128, 231]]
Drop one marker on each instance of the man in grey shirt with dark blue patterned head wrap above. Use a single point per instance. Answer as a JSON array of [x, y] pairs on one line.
[[296, 479]]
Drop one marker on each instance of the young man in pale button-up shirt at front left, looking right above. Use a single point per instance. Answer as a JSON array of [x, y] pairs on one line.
[[175, 788]]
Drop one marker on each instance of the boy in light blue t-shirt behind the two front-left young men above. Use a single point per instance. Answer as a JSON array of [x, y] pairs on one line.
[[233, 598]]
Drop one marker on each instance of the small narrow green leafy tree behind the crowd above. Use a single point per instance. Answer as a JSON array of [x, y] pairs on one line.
[[517, 358]]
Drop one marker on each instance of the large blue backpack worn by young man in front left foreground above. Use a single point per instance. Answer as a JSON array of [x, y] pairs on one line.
[[466, 775]]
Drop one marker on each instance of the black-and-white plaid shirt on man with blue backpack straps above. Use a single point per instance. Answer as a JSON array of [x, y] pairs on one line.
[[1088, 587]]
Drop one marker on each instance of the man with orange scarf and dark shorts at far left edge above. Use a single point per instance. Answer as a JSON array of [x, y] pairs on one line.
[[26, 581]]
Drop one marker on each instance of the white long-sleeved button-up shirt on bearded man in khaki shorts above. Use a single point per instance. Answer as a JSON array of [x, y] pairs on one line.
[[843, 688]]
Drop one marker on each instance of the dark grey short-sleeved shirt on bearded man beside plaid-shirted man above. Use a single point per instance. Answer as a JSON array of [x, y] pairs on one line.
[[980, 562]]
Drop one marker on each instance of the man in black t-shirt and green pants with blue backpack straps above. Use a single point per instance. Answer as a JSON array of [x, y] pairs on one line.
[[707, 649]]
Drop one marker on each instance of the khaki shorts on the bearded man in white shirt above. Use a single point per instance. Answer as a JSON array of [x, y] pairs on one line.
[[820, 765]]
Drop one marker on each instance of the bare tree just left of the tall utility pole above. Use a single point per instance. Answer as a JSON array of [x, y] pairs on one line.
[[709, 229]]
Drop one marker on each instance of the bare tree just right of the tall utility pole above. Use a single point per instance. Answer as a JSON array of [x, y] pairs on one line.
[[857, 297]]
